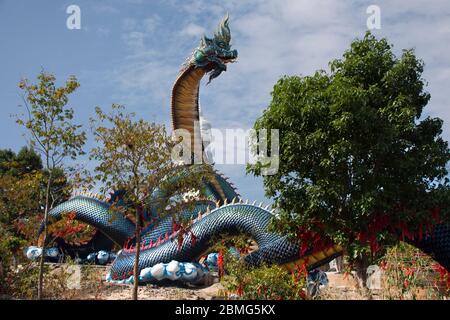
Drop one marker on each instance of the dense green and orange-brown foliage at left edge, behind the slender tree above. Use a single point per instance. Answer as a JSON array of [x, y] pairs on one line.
[[22, 190]]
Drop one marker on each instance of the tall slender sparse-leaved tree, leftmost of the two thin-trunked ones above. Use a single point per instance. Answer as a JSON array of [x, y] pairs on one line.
[[49, 122]]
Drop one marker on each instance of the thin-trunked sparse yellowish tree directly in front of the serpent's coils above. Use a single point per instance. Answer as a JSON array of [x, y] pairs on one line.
[[135, 156]]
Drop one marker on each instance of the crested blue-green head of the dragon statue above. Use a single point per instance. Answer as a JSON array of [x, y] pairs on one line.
[[214, 53]]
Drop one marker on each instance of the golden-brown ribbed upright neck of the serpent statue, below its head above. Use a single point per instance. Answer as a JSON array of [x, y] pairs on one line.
[[185, 107]]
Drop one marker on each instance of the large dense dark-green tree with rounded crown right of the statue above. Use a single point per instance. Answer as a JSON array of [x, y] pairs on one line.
[[359, 165]]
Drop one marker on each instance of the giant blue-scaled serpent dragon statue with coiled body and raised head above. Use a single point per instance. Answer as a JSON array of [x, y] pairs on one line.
[[219, 210]]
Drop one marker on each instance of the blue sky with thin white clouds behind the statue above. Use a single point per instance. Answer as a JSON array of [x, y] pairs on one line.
[[130, 51]]
